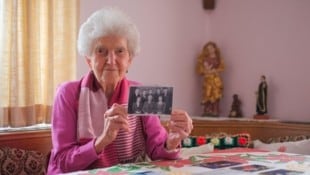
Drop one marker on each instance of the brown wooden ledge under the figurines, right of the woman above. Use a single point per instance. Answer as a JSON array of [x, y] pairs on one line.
[[258, 129]]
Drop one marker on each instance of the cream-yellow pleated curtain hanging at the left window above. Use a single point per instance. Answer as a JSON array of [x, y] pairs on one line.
[[37, 52]]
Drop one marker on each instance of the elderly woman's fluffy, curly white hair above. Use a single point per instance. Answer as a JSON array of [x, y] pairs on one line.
[[104, 22]]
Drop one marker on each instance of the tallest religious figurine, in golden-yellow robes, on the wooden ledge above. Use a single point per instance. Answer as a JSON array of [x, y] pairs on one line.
[[209, 65]]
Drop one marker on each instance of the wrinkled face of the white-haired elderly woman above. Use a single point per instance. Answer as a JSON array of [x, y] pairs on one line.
[[110, 59]]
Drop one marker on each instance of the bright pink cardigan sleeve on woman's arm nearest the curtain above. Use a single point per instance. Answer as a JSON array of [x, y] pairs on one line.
[[68, 154]]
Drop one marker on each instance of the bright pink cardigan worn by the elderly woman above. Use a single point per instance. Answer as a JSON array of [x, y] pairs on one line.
[[71, 154]]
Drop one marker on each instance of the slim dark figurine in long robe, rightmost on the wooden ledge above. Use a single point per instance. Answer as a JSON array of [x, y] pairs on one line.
[[261, 99]]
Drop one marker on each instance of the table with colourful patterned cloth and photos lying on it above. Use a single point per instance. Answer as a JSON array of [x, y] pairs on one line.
[[228, 162]]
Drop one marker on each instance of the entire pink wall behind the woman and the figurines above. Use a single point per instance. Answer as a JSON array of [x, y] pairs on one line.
[[256, 37]]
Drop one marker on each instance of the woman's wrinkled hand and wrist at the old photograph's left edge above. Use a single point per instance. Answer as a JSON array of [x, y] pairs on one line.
[[115, 119]]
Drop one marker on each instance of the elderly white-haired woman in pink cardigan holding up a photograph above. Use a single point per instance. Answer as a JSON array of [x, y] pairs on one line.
[[90, 125]]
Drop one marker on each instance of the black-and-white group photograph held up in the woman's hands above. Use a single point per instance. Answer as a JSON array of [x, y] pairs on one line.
[[150, 100]]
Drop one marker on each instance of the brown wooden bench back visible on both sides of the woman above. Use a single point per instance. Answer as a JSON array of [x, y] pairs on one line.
[[40, 140]]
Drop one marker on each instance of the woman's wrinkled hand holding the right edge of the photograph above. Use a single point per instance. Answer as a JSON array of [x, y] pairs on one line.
[[180, 126]]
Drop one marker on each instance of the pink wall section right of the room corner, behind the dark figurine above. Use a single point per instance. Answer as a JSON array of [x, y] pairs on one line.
[[266, 37]]
